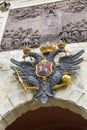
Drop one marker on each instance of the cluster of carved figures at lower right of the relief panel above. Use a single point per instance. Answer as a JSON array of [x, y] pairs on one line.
[[74, 32]]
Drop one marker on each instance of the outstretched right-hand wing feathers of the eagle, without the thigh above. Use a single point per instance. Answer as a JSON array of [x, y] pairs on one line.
[[70, 63]]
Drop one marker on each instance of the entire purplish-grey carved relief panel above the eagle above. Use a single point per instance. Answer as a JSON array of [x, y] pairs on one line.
[[35, 25]]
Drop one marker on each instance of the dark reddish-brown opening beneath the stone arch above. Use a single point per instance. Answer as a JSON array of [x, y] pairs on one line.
[[49, 118]]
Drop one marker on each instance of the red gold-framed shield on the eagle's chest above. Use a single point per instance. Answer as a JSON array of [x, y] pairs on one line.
[[44, 68]]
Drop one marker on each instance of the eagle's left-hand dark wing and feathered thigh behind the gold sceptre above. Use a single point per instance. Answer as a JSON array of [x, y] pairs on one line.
[[26, 72]]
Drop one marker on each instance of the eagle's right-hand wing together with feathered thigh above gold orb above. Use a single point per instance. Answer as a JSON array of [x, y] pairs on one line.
[[67, 65]]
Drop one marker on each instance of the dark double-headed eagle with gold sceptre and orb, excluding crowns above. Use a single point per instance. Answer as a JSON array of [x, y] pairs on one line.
[[44, 76]]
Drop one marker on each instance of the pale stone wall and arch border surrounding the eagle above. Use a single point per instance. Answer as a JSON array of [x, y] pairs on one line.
[[14, 101]]
